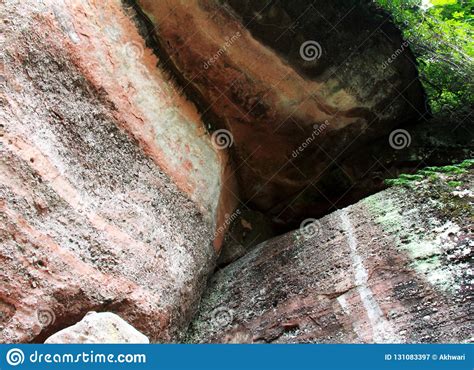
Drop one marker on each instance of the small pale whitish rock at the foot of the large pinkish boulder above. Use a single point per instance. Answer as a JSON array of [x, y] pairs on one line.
[[103, 327]]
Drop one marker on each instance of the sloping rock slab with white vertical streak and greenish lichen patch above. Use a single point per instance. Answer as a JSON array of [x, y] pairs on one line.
[[395, 267]]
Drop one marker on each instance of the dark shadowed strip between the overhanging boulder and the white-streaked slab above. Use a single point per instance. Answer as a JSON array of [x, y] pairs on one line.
[[432, 143]]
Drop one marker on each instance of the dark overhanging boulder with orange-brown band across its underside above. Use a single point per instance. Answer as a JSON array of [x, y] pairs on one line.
[[241, 61]]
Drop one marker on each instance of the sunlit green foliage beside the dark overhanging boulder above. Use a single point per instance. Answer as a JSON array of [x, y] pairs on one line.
[[440, 34]]
